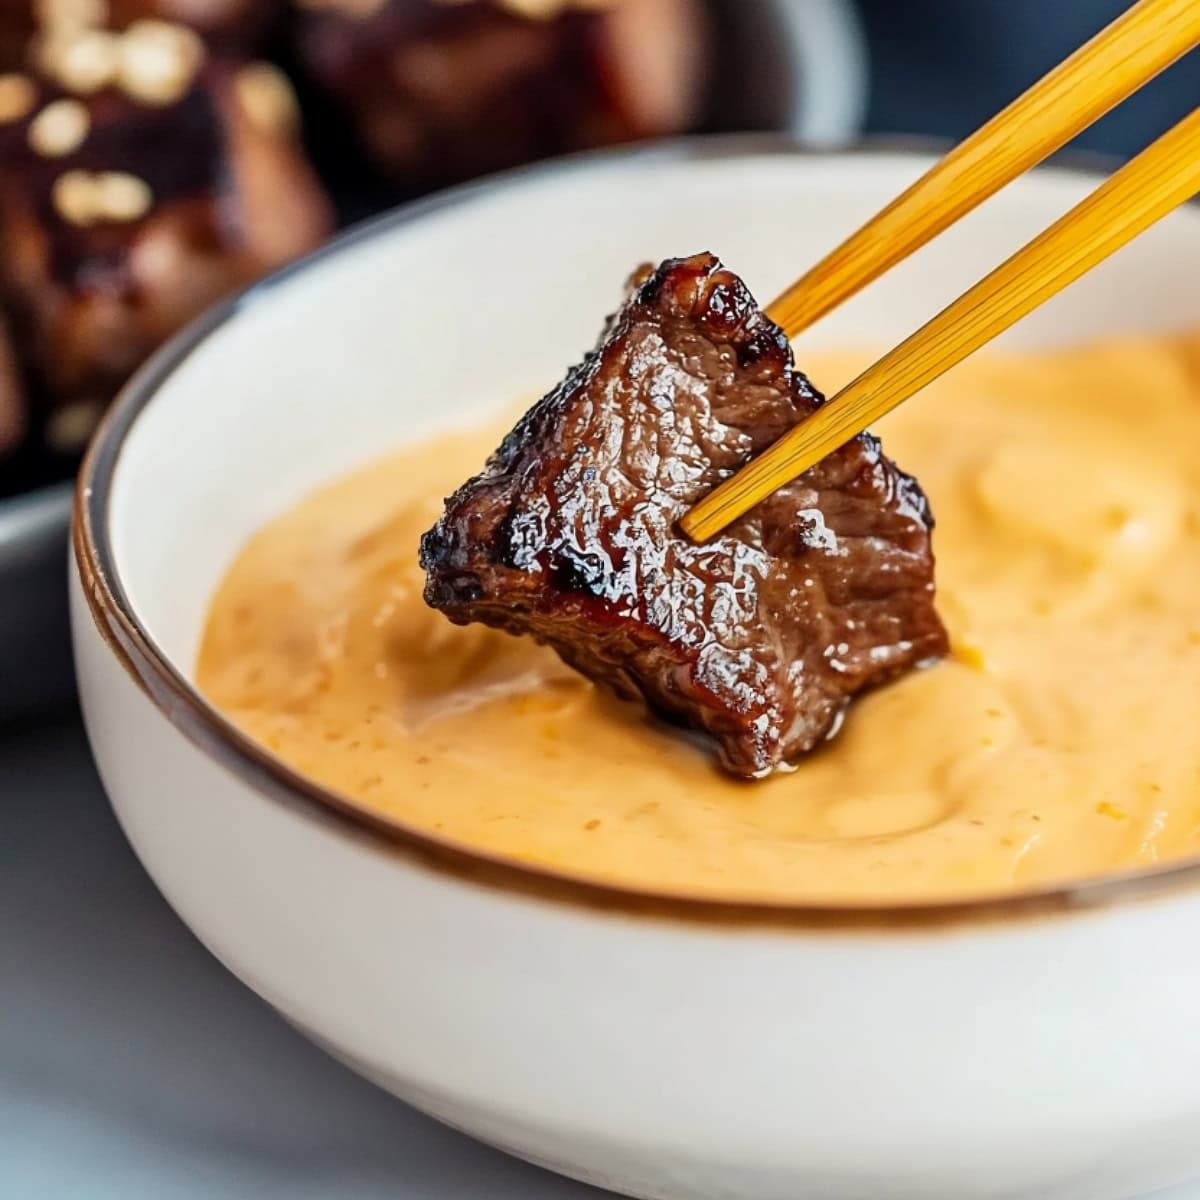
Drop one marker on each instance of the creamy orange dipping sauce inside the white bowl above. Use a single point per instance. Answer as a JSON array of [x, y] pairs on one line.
[[1061, 741]]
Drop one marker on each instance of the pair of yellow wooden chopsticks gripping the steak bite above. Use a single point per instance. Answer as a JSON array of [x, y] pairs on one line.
[[1139, 45]]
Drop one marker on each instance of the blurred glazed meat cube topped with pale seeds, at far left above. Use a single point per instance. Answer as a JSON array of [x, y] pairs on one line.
[[147, 181]]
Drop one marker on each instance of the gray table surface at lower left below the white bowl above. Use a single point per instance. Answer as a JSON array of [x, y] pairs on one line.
[[134, 1066]]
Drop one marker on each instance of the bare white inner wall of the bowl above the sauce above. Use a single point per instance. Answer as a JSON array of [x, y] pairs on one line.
[[431, 321]]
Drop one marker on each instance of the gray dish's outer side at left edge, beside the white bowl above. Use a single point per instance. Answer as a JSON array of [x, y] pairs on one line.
[[35, 645]]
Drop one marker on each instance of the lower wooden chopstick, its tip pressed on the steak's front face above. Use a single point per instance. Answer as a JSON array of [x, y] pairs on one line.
[[1157, 182]]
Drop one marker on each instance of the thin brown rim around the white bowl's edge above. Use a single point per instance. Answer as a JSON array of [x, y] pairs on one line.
[[206, 728]]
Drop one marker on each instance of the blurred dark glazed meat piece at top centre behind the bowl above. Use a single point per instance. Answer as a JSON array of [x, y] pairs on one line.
[[445, 92]]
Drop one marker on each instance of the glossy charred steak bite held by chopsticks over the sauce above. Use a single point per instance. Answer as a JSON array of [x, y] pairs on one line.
[[760, 638]]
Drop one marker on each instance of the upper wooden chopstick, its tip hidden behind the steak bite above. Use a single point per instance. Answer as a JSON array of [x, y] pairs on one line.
[[1112, 67]]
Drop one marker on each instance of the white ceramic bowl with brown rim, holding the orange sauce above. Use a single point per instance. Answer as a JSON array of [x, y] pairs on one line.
[[1042, 1047]]
